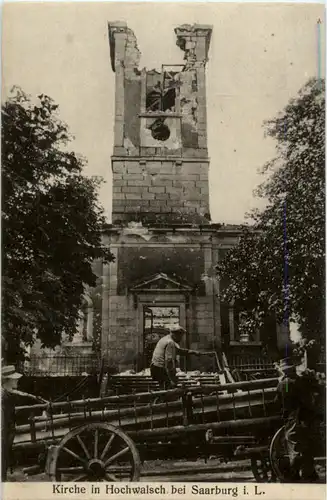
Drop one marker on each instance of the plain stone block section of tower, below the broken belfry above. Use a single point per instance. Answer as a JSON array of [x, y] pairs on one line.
[[157, 187]]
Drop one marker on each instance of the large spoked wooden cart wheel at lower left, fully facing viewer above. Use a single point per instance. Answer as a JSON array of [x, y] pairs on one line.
[[95, 452]]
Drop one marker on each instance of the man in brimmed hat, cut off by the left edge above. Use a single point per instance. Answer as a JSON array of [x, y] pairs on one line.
[[9, 382]]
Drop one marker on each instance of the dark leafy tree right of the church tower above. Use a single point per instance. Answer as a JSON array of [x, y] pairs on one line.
[[278, 265]]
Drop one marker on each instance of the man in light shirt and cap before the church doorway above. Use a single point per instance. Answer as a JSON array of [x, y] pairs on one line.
[[164, 358]]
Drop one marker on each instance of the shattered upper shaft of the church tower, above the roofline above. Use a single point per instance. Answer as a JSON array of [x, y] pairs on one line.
[[160, 159]]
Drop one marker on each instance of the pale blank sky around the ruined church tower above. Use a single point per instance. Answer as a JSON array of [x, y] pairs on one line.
[[260, 56]]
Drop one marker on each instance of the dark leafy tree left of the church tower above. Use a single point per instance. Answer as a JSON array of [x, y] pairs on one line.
[[51, 225]]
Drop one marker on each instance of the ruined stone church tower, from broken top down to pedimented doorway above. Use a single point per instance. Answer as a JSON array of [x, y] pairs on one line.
[[164, 244]]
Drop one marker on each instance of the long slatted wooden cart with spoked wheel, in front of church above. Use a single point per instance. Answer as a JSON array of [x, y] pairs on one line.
[[106, 439]]
